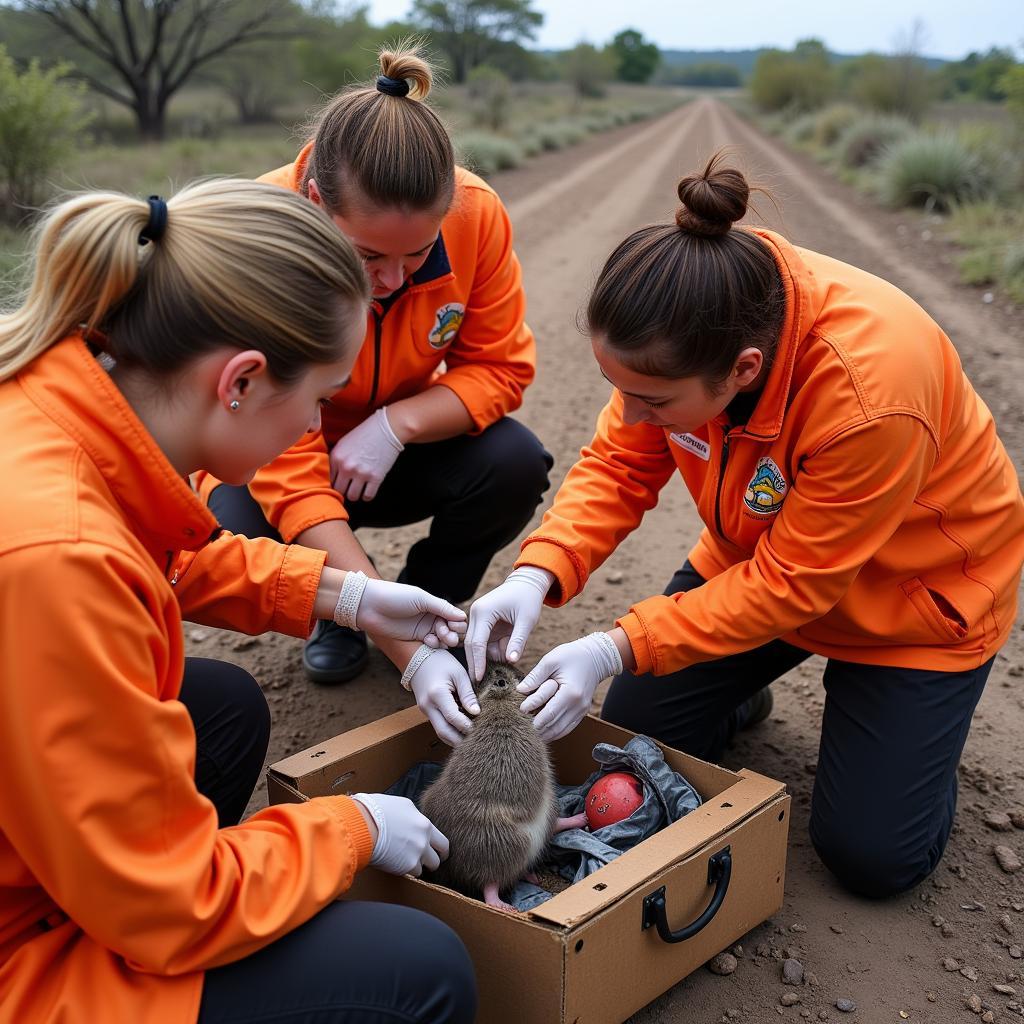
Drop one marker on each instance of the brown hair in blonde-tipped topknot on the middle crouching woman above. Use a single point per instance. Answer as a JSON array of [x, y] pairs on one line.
[[383, 147]]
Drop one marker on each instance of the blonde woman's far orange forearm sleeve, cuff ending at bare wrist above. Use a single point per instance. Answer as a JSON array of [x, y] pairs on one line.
[[248, 585]]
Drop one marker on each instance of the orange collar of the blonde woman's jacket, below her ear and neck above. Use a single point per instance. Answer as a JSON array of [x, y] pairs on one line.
[[68, 385]]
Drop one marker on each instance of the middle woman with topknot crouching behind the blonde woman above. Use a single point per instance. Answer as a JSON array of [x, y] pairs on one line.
[[424, 424]]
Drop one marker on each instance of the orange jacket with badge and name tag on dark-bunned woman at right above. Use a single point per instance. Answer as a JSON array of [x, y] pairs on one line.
[[868, 511]]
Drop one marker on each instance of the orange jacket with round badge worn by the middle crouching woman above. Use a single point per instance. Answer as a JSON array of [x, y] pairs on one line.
[[464, 309]]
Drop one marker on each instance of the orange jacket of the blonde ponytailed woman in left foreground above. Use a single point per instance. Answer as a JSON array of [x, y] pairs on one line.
[[117, 887]]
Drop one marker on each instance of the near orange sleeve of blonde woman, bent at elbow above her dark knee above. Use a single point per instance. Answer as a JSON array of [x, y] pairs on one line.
[[99, 797]]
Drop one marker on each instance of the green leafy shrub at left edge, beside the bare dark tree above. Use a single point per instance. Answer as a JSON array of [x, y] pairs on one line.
[[41, 119]]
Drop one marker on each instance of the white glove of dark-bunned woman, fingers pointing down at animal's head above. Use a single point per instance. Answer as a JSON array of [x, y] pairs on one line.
[[501, 621]]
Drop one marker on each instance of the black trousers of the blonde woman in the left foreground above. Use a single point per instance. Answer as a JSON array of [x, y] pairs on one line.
[[355, 962]]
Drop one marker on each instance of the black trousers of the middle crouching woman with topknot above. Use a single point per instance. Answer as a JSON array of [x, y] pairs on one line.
[[481, 490]]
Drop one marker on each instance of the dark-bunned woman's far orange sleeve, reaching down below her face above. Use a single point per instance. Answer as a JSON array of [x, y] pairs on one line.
[[602, 501]]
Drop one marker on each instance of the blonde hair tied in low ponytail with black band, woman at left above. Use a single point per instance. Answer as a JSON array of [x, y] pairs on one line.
[[240, 264]]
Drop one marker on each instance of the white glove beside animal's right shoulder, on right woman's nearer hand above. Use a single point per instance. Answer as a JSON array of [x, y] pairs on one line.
[[563, 684]]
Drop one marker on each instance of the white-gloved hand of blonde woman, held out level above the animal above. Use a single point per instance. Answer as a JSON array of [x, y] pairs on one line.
[[398, 611]]
